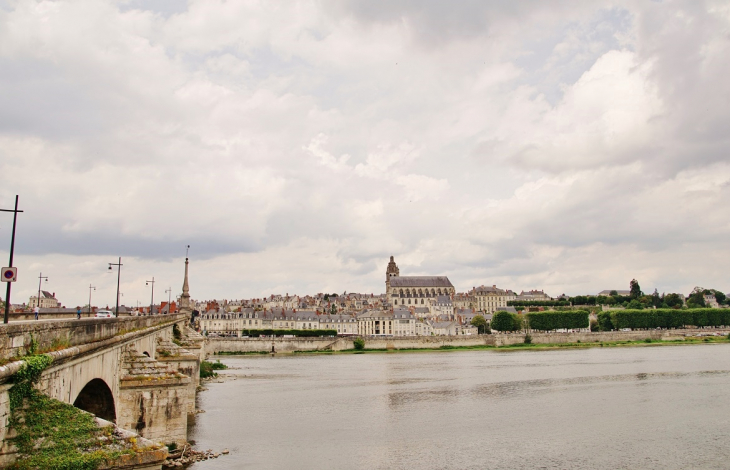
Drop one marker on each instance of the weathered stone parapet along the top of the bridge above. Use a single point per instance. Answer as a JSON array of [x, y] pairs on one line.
[[16, 338]]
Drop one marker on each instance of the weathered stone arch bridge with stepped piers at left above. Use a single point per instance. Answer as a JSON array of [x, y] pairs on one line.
[[139, 372]]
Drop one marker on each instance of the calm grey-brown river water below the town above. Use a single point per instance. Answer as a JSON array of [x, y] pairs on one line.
[[600, 408]]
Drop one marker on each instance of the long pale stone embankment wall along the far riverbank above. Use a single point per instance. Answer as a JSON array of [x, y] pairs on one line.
[[289, 345]]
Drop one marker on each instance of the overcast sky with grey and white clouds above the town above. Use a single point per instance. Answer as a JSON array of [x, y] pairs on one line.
[[565, 146]]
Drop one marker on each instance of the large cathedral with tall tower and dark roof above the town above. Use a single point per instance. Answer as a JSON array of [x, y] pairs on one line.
[[414, 290]]
